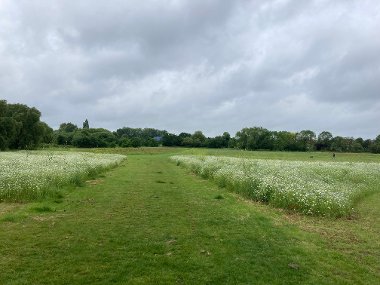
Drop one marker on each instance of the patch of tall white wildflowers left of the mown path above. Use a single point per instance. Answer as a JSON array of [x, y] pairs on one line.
[[26, 176]]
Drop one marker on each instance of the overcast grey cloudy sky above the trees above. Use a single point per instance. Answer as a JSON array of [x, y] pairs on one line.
[[186, 65]]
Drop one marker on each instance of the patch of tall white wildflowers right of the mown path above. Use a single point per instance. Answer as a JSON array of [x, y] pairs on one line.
[[312, 188]]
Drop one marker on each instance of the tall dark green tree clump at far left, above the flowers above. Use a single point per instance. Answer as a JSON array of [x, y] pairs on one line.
[[21, 128]]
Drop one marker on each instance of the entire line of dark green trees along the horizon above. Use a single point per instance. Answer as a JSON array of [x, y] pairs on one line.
[[21, 128]]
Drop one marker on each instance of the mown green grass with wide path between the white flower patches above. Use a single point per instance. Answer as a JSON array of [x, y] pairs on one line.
[[149, 221]]
